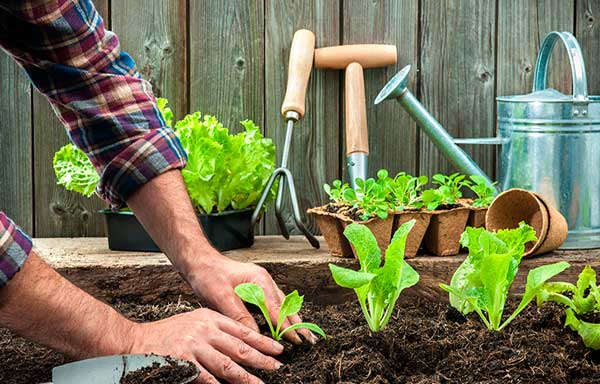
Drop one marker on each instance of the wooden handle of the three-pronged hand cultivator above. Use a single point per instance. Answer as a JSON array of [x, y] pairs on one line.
[[299, 67]]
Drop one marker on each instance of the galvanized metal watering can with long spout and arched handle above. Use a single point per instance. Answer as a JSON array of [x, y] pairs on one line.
[[550, 142]]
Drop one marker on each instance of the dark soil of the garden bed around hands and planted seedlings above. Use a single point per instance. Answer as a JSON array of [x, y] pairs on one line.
[[424, 343]]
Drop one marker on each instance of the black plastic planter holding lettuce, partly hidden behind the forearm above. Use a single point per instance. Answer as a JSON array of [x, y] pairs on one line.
[[226, 231]]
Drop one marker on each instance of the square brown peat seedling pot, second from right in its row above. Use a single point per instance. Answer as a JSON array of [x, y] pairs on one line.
[[443, 235]]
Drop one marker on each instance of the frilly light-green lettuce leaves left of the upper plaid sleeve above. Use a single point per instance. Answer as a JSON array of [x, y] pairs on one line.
[[75, 171]]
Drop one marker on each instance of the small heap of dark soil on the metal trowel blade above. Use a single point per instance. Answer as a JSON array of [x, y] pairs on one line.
[[170, 373]]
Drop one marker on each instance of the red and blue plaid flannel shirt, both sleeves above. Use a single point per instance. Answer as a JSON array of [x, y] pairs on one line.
[[109, 111]]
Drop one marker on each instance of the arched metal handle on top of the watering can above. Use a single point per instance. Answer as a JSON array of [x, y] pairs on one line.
[[578, 76]]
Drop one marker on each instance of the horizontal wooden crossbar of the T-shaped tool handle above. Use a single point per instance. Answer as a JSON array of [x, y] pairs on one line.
[[367, 55]]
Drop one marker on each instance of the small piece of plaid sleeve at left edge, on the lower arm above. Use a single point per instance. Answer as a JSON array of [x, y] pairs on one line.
[[15, 246]]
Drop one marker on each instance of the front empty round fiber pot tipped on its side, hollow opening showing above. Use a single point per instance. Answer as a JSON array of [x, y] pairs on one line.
[[516, 205]]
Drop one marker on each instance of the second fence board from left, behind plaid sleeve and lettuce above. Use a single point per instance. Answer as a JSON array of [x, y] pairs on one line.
[[59, 212]]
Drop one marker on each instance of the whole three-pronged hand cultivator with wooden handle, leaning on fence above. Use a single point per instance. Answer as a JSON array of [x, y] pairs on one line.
[[300, 65]]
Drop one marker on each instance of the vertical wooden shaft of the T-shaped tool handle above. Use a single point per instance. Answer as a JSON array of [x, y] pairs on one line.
[[357, 134]]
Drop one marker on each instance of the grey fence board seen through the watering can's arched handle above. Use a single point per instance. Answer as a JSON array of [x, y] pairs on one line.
[[519, 39]]
